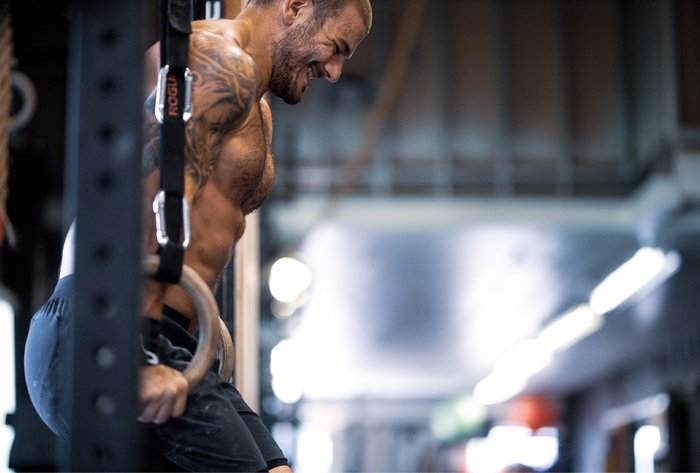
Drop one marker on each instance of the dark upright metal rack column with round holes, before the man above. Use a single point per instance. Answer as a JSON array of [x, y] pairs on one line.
[[104, 193]]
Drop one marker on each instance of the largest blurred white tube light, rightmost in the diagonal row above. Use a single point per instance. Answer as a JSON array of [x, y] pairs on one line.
[[645, 270]]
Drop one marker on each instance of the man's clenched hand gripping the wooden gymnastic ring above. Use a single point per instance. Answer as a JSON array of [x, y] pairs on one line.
[[162, 393]]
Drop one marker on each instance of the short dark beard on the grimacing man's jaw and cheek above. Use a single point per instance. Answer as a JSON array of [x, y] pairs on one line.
[[289, 58]]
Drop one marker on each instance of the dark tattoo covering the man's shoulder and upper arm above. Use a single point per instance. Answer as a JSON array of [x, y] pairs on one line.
[[223, 95]]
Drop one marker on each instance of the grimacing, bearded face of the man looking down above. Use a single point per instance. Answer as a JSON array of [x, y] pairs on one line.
[[310, 50]]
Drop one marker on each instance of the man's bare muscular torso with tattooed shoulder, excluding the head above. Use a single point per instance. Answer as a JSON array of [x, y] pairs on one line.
[[229, 161]]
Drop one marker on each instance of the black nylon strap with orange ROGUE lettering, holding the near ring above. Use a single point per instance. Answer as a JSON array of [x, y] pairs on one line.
[[176, 17]]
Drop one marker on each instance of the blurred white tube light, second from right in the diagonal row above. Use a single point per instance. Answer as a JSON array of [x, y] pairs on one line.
[[570, 328]]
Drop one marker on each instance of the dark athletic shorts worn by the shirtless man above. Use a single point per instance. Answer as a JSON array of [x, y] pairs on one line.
[[217, 432]]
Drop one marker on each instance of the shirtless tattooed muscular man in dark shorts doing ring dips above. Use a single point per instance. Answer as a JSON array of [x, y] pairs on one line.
[[275, 46]]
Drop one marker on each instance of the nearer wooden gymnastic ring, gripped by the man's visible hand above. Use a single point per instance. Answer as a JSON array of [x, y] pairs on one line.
[[207, 313]]
